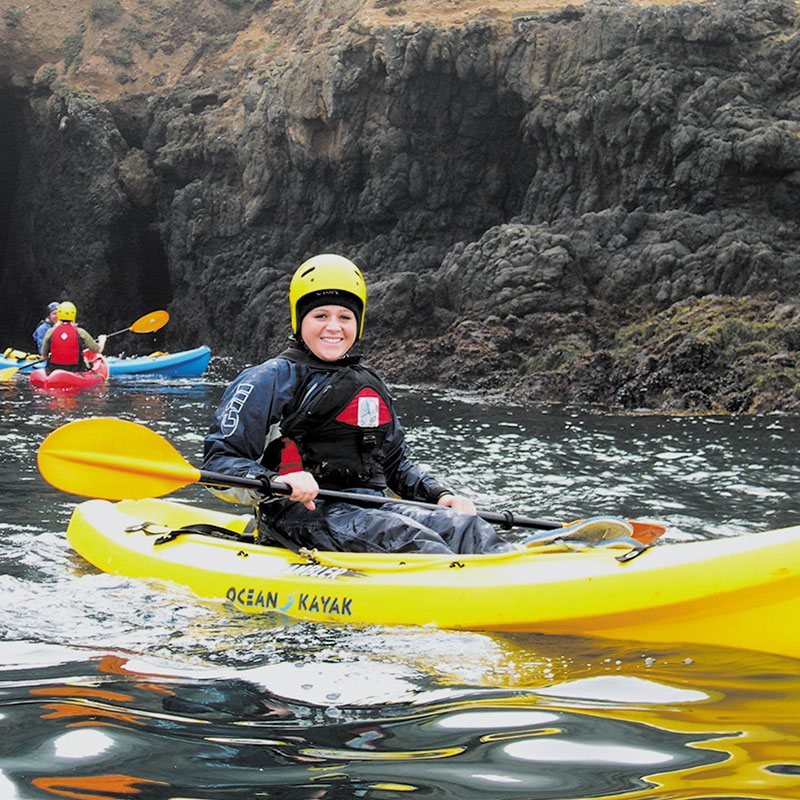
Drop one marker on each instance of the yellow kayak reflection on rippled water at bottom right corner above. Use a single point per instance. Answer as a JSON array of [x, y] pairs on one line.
[[741, 704]]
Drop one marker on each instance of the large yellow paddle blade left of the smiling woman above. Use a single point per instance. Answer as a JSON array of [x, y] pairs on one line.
[[112, 459]]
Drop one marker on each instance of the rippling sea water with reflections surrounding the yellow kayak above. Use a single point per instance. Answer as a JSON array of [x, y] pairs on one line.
[[116, 688]]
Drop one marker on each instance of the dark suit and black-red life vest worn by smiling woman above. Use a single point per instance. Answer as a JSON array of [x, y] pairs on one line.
[[337, 418]]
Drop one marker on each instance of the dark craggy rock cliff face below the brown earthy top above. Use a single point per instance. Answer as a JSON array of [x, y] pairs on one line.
[[525, 202]]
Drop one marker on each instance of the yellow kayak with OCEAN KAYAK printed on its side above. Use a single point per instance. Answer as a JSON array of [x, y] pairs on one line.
[[742, 592]]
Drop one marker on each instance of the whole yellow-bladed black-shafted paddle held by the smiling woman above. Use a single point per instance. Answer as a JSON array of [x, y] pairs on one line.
[[115, 460]]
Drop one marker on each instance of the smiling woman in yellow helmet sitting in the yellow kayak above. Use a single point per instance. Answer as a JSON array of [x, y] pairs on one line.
[[315, 417]]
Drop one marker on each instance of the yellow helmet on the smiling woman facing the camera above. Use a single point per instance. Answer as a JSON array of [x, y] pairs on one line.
[[327, 279]]
